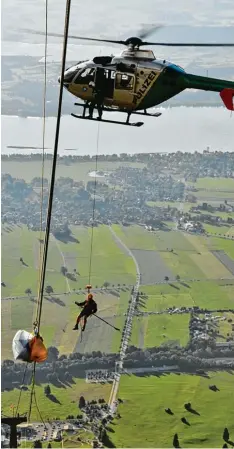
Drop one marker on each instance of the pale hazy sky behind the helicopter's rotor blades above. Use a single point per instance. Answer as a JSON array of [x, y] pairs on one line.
[[121, 19]]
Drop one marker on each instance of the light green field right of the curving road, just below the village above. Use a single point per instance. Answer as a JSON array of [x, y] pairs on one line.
[[191, 257]]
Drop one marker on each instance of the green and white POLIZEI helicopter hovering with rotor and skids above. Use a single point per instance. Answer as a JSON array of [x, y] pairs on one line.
[[135, 80]]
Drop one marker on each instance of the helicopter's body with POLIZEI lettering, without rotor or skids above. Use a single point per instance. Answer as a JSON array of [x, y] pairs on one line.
[[135, 80]]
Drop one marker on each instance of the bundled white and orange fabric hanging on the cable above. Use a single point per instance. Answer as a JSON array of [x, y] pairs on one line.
[[28, 348]]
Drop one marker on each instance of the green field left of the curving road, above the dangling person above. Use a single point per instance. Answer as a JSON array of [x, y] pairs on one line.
[[109, 263]]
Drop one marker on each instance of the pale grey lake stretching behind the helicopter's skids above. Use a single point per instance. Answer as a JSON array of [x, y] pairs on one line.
[[180, 128]]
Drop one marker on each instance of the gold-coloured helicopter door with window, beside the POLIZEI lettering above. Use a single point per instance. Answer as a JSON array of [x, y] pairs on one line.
[[124, 89]]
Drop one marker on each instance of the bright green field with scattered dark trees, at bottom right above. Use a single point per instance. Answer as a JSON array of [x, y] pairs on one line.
[[144, 423]]
